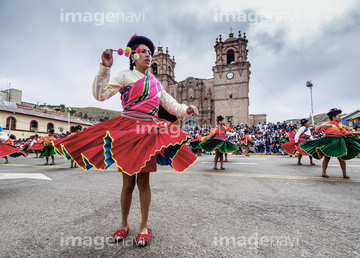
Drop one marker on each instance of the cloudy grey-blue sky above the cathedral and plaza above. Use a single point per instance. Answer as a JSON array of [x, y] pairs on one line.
[[53, 59]]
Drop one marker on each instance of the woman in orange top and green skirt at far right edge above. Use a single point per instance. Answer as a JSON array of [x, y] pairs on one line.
[[337, 143]]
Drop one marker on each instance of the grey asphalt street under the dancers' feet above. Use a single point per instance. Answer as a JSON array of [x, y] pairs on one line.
[[260, 206]]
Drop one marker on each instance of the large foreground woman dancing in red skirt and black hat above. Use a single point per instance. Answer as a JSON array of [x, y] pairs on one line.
[[136, 140]]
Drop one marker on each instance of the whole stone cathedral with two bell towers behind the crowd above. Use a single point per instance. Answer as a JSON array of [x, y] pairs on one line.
[[227, 93]]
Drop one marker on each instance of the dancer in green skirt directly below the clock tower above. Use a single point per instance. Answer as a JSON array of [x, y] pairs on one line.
[[219, 142]]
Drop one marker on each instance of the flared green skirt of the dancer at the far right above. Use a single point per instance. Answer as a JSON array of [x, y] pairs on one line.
[[344, 148]]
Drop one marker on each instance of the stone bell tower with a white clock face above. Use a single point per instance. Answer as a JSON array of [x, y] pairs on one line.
[[231, 79]]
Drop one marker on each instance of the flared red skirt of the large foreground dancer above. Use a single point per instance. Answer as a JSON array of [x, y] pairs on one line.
[[128, 143]]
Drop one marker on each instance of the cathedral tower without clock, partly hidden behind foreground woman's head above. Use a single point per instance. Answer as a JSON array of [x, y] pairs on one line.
[[163, 67]]
